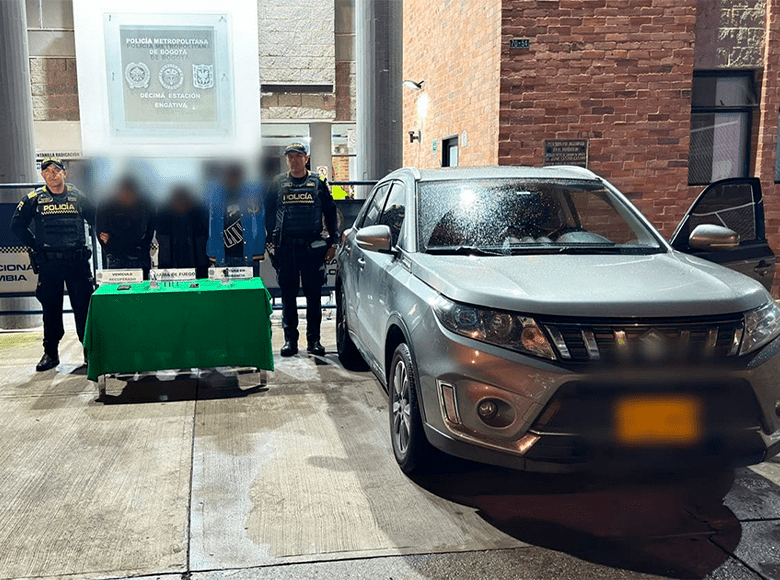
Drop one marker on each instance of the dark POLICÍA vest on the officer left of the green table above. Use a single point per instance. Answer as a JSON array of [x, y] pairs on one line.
[[58, 220]]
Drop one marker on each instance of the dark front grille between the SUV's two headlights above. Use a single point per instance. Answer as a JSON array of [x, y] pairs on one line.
[[646, 341]]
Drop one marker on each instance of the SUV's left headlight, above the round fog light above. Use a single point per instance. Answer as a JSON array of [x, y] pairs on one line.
[[505, 329]]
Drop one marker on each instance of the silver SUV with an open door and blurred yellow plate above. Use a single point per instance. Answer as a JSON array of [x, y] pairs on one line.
[[533, 318]]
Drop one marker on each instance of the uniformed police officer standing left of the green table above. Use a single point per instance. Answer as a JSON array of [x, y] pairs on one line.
[[58, 252]]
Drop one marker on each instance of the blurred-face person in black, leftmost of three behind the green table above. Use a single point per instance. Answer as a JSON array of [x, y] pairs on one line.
[[125, 227]]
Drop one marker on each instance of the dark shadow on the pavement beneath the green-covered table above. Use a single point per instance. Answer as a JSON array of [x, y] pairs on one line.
[[184, 386]]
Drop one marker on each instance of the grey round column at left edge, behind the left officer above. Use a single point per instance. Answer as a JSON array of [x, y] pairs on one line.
[[17, 144]]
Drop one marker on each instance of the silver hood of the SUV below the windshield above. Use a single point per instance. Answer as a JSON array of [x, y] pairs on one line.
[[604, 286]]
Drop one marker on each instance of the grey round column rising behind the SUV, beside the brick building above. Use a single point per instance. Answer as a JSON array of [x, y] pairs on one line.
[[379, 103]]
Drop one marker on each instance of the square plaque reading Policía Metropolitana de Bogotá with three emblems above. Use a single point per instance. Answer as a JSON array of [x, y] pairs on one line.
[[169, 78]]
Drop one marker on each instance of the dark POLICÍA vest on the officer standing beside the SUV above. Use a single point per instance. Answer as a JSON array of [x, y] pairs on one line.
[[299, 208]]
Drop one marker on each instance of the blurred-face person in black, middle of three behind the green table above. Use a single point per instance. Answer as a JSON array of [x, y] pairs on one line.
[[182, 231]]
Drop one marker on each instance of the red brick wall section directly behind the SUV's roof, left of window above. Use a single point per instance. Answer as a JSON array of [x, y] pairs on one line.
[[615, 72]]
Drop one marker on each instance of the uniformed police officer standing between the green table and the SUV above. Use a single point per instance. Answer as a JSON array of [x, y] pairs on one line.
[[295, 205]]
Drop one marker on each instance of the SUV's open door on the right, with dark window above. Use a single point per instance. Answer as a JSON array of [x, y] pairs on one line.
[[736, 204]]
